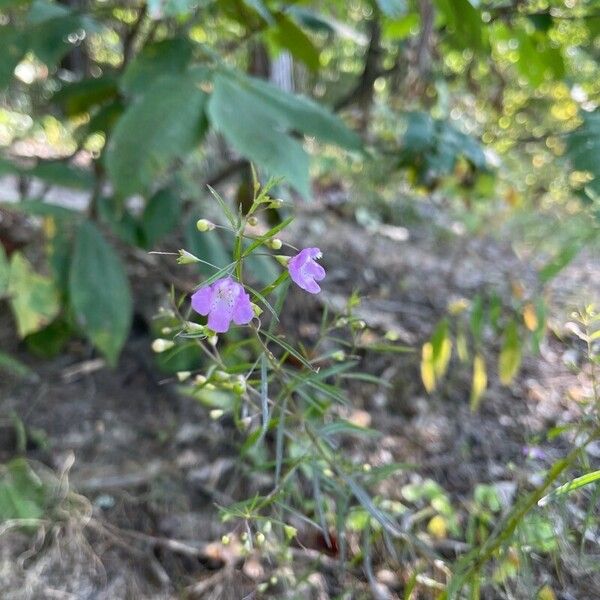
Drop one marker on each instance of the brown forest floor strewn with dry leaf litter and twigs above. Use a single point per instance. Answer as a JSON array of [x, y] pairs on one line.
[[150, 465]]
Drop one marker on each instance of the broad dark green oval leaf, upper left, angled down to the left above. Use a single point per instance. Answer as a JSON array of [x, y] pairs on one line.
[[162, 125]]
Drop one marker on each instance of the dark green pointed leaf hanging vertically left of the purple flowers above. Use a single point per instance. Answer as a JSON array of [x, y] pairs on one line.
[[99, 292]]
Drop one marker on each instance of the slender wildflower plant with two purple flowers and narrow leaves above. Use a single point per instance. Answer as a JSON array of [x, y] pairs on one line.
[[288, 403]]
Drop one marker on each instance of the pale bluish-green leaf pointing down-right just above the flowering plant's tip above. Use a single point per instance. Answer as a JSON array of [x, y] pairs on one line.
[[259, 135]]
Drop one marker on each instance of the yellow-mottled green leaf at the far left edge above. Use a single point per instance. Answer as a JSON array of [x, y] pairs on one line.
[[34, 298]]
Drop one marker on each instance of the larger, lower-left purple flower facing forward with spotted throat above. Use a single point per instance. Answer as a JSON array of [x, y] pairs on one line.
[[223, 301]]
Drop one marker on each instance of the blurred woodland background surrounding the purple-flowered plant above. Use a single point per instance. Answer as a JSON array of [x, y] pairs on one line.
[[444, 155]]
